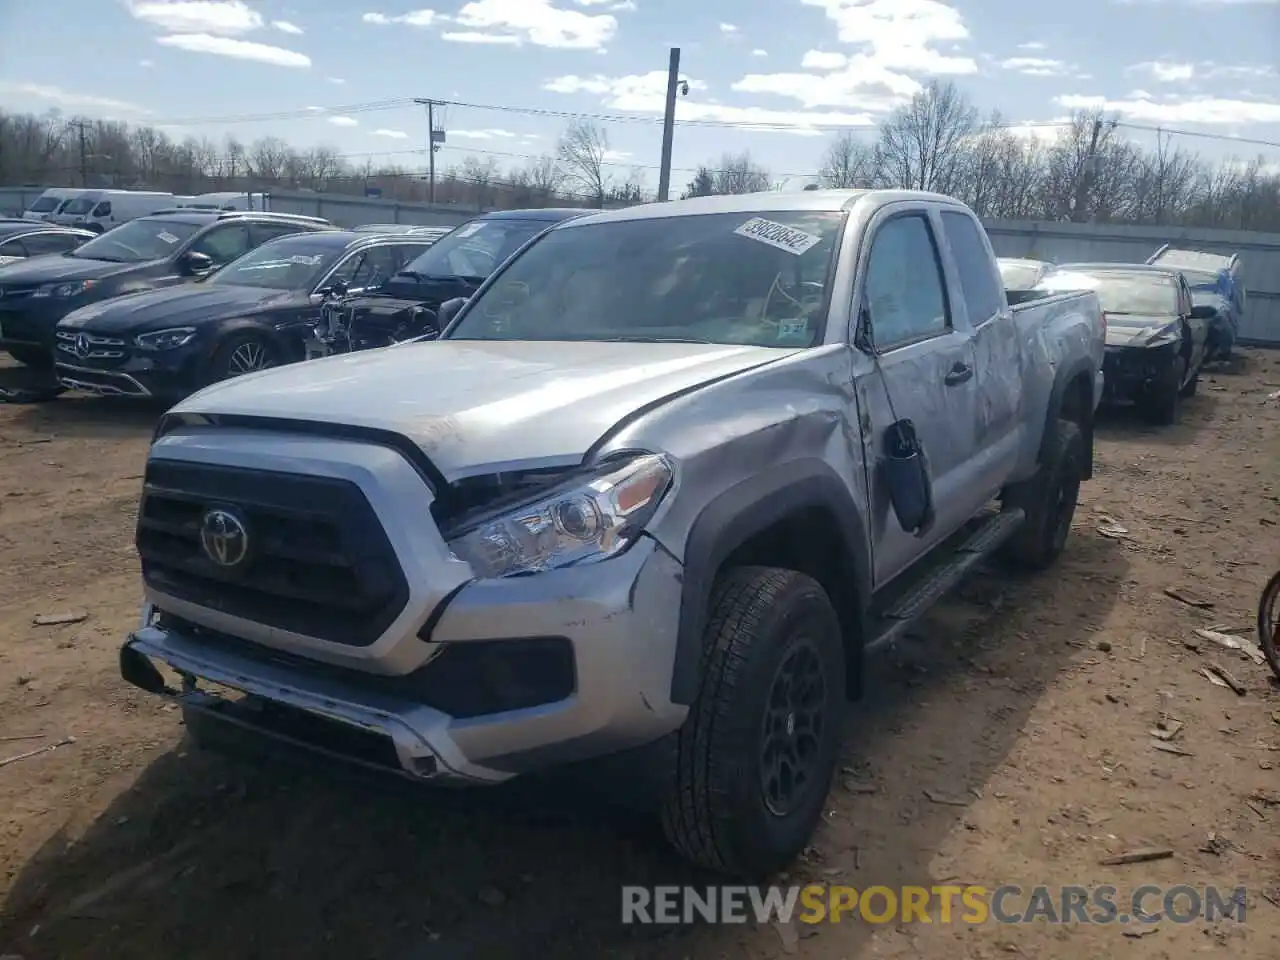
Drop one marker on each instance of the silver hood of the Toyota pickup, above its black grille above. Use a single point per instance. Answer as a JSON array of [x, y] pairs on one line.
[[482, 406]]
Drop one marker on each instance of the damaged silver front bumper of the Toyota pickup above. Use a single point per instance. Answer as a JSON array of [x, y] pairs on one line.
[[619, 618]]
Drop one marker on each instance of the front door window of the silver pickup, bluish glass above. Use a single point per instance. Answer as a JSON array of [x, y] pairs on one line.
[[904, 291]]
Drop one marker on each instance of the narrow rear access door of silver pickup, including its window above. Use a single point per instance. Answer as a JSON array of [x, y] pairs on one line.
[[998, 374]]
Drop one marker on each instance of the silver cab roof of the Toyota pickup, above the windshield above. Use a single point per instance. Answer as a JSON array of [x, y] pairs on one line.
[[764, 203]]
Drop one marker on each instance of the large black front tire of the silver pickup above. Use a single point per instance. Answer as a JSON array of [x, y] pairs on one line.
[[716, 812]]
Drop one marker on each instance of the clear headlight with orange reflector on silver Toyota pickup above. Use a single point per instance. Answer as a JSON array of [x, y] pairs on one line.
[[584, 523]]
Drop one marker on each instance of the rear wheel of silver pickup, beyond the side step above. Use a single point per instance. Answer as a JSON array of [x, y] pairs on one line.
[[1049, 500]]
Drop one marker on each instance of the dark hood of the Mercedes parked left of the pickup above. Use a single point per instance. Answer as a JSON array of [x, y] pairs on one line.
[[188, 305]]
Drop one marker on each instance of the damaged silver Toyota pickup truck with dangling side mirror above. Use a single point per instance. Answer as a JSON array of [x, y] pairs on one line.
[[644, 506]]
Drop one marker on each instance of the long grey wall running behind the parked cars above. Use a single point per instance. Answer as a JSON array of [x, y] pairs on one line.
[[1062, 243]]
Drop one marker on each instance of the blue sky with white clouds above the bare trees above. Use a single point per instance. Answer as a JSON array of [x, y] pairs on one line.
[[344, 74]]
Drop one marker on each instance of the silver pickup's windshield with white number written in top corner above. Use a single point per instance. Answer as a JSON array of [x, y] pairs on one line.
[[716, 278]]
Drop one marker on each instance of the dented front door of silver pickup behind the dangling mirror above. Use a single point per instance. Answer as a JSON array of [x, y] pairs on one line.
[[924, 372]]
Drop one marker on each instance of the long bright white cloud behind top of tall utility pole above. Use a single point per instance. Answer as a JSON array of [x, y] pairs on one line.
[[647, 94]]
